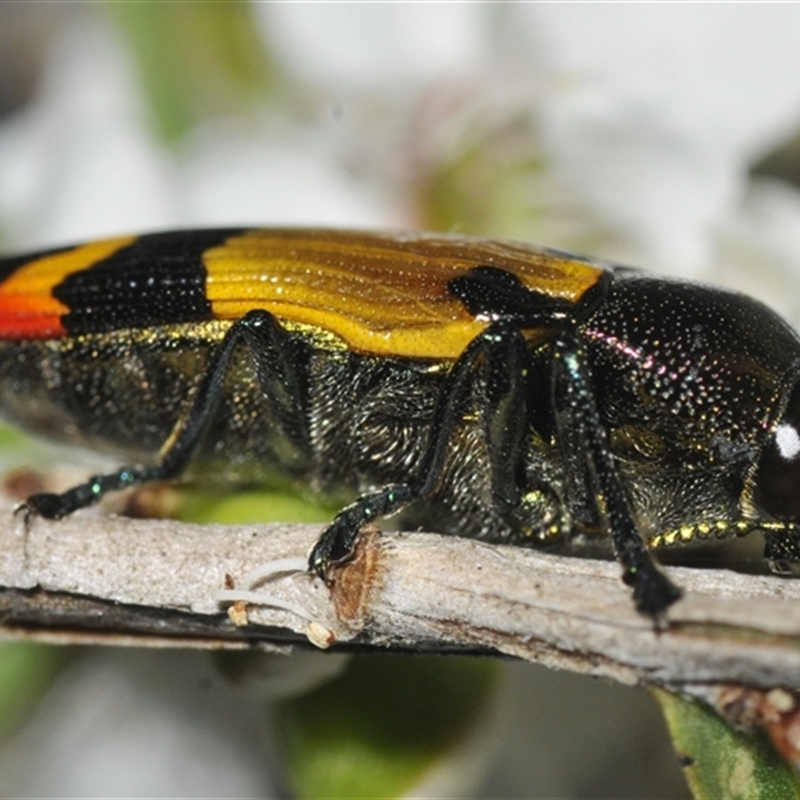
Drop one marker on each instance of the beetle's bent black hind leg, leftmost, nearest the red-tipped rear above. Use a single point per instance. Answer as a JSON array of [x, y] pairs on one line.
[[276, 370]]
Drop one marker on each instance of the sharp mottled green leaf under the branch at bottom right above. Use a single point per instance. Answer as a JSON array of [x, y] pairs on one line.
[[720, 761]]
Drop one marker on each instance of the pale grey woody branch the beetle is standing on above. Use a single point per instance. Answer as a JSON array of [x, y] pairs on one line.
[[159, 583]]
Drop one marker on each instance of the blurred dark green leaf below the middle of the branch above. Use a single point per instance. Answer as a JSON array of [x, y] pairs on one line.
[[386, 725]]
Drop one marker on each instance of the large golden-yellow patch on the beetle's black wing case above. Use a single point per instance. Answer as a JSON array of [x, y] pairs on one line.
[[382, 294]]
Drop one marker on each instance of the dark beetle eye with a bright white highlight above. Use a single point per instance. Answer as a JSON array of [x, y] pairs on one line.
[[777, 487]]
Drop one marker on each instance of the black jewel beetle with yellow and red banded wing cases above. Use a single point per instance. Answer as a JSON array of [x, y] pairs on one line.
[[483, 387]]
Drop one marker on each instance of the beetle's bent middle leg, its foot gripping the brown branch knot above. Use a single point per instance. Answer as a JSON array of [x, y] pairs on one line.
[[501, 354]]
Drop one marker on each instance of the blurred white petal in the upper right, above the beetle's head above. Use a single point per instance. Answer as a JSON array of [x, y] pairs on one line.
[[656, 111]]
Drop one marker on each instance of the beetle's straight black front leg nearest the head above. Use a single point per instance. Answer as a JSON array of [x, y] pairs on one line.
[[576, 409]]
